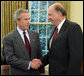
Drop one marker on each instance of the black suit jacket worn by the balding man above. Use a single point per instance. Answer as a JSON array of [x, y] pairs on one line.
[[66, 52]]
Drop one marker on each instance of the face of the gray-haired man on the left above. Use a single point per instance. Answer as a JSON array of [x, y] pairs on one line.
[[24, 22]]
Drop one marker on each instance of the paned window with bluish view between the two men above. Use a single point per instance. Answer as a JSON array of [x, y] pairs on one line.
[[39, 21]]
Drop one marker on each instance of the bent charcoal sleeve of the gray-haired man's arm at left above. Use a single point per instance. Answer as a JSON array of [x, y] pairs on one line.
[[11, 58]]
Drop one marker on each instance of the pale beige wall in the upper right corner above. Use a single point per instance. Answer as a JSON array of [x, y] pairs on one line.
[[76, 12]]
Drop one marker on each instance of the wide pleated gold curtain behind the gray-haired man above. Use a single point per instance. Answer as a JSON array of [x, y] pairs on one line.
[[7, 20]]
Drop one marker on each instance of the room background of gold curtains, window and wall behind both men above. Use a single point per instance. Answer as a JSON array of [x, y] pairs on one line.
[[39, 22]]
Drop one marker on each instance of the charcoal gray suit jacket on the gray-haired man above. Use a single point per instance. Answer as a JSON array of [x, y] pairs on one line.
[[17, 55]]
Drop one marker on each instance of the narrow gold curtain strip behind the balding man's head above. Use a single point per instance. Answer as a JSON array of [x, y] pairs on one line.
[[66, 5]]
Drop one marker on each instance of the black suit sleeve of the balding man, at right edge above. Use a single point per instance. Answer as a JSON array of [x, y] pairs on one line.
[[75, 41]]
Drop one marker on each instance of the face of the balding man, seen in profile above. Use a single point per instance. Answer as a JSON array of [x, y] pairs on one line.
[[53, 16]]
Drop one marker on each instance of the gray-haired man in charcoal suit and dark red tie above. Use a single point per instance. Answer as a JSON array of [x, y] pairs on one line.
[[21, 48]]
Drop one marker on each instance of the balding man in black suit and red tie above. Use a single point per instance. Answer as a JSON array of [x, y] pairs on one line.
[[65, 44]]
